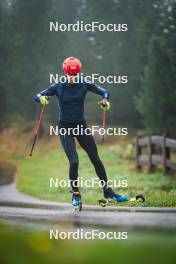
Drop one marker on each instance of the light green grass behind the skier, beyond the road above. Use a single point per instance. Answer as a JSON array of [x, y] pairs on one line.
[[34, 175]]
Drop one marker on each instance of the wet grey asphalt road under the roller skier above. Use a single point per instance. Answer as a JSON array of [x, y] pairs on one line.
[[19, 208]]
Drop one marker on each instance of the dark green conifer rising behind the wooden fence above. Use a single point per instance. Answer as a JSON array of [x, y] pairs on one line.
[[157, 100]]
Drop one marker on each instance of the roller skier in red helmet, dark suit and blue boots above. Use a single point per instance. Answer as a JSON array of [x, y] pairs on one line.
[[71, 96]]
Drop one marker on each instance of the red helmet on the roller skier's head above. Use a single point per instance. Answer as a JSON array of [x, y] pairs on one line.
[[72, 66]]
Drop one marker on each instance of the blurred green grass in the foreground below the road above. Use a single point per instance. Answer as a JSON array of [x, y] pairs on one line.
[[25, 246]]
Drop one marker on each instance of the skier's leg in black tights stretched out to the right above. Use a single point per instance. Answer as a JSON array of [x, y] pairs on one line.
[[88, 144]]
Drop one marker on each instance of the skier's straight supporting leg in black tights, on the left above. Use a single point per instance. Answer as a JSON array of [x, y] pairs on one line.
[[69, 147]]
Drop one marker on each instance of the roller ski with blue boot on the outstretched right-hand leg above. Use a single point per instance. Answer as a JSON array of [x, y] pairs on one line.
[[112, 197]]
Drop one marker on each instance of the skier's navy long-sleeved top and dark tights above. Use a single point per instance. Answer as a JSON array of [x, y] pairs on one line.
[[71, 99]]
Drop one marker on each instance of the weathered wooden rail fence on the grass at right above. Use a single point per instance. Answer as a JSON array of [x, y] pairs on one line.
[[152, 158]]
